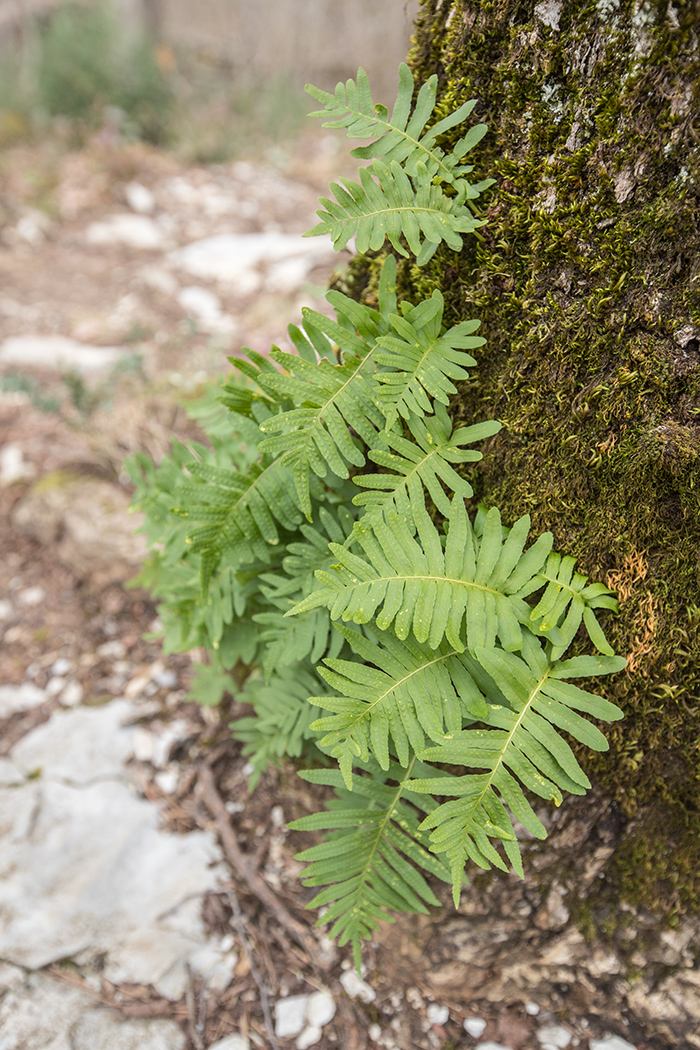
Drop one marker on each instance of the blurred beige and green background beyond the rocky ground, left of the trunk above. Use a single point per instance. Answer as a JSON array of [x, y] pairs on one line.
[[205, 77]]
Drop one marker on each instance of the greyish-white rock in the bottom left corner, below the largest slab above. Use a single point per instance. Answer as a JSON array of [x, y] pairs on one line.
[[41, 1016]]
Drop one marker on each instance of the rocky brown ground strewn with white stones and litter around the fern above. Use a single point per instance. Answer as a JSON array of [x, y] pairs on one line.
[[147, 900]]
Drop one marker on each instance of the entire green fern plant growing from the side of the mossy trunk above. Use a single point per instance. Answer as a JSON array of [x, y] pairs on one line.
[[324, 542]]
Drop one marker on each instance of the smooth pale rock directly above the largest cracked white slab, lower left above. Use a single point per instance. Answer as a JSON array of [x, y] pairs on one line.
[[79, 746]]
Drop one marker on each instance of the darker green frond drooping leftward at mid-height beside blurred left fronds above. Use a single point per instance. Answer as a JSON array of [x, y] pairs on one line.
[[241, 513]]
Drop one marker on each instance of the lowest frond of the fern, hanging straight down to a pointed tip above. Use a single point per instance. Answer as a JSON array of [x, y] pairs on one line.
[[374, 859]]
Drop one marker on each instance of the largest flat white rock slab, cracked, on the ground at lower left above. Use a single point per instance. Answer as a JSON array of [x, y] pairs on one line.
[[97, 873]]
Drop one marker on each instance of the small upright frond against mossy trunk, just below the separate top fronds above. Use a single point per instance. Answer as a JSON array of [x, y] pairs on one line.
[[419, 363]]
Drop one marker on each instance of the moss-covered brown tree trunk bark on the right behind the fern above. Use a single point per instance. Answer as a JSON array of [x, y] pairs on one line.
[[587, 280]]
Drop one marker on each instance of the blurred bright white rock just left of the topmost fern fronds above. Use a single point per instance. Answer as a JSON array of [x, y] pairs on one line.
[[235, 259]]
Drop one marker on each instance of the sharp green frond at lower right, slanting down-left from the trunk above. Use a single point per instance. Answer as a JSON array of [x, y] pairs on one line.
[[528, 705]]
